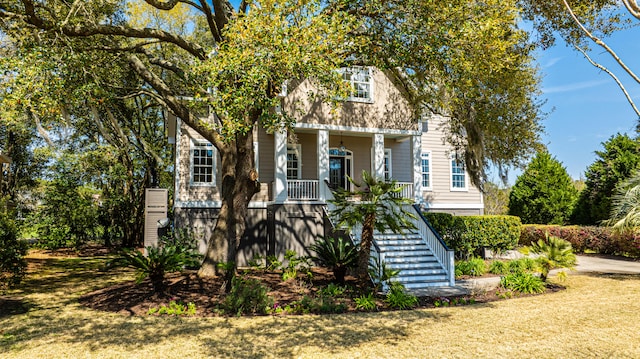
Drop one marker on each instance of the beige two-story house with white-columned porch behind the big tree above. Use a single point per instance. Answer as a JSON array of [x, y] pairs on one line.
[[375, 130]]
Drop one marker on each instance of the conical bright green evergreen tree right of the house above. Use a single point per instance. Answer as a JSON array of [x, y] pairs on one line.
[[544, 193]]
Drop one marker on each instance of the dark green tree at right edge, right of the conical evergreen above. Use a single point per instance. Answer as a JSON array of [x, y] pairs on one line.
[[615, 163]]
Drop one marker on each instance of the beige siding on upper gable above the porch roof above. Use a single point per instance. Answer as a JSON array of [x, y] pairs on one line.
[[389, 109]]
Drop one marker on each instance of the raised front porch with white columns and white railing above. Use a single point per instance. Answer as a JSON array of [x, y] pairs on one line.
[[314, 157]]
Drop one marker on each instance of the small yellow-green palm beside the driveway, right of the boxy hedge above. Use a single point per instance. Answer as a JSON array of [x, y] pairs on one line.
[[554, 252]]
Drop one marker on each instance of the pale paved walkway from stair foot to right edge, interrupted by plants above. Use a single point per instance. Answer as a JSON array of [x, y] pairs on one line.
[[586, 264]]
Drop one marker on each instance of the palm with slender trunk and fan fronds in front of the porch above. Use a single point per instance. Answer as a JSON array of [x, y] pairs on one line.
[[379, 208]]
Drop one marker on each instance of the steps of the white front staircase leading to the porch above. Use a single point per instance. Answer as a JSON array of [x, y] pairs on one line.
[[411, 255]]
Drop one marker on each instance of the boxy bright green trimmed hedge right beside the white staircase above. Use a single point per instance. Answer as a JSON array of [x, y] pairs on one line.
[[467, 235]]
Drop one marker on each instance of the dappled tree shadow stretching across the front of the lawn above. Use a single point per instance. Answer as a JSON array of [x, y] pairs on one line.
[[256, 337]]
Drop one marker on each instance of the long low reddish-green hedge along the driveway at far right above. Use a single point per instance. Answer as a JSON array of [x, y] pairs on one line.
[[598, 239]]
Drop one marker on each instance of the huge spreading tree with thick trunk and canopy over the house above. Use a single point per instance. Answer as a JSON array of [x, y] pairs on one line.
[[465, 60]]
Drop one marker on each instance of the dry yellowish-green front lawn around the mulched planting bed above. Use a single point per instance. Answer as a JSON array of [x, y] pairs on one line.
[[597, 316]]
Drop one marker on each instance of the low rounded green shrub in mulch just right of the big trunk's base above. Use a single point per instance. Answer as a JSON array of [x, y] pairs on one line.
[[247, 296]]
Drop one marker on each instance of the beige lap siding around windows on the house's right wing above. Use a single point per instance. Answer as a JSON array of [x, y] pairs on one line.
[[441, 193]]
